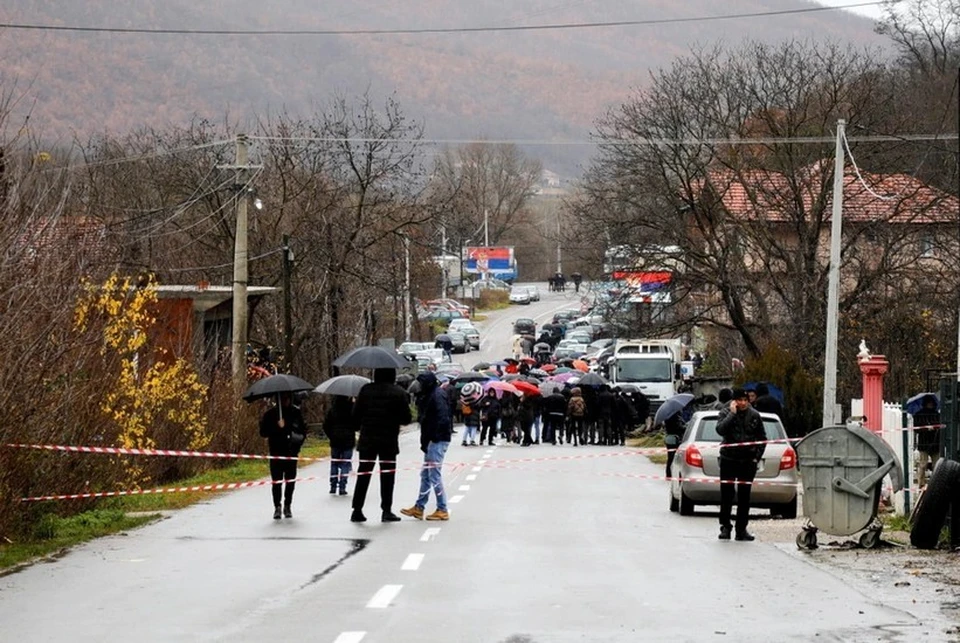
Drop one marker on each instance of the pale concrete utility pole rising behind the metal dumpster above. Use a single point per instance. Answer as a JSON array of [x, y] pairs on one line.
[[833, 292]]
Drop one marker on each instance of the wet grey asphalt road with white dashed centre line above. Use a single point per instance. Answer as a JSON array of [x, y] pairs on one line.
[[544, 544]]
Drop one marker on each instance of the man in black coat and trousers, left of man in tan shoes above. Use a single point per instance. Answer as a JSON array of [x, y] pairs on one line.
[[382, 408]]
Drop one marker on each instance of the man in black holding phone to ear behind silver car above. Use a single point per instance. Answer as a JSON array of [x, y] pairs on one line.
[[738, 464]]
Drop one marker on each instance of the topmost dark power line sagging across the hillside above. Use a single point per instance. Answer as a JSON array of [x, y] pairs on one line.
[[436, 30]]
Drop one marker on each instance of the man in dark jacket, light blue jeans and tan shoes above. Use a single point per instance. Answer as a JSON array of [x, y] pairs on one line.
[[436, 427]]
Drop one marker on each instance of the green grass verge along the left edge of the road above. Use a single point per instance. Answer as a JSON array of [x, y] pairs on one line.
[[54, 534]]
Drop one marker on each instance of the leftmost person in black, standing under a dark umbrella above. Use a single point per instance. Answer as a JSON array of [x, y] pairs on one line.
[[285, 430]]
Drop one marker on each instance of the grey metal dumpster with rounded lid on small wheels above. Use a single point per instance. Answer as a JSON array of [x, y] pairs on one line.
[[841, 469]]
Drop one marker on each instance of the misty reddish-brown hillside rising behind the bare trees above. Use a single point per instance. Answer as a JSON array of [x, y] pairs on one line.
[[540, 84]]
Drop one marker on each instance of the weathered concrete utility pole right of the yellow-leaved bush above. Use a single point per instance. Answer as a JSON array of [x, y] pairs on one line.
[[240, 258]]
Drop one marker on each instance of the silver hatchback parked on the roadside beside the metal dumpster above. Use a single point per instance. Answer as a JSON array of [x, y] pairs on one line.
[[696, 468]]
